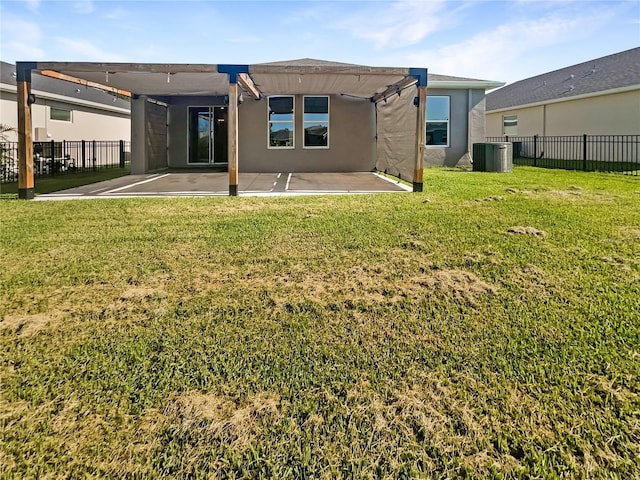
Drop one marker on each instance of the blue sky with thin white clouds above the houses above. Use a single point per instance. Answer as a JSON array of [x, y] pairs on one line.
[[492, 40]]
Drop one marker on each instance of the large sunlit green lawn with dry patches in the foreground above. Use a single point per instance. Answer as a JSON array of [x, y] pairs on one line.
[[489, 327]]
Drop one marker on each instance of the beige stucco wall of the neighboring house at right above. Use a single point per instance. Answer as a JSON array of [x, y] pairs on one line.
[[611, 114]]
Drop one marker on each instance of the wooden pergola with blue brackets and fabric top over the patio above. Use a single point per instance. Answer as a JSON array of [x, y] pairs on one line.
[[260, 80]]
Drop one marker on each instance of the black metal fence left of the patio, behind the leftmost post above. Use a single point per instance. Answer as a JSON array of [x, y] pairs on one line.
[[66, 157]]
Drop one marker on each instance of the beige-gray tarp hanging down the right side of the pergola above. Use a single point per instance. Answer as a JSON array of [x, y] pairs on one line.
[[396, 132]]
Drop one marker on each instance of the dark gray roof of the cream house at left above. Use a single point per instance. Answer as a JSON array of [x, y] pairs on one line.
[[60, 87]]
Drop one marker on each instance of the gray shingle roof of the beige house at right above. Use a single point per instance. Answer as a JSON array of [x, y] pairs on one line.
[[615, 71]]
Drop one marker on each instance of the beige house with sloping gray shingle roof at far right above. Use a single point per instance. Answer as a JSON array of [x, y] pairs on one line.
[[598, 97]]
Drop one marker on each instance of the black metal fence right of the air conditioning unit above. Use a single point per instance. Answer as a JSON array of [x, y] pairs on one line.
[[602, 153]]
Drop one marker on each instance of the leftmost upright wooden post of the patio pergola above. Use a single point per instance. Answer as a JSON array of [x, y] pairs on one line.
[[26, 189]]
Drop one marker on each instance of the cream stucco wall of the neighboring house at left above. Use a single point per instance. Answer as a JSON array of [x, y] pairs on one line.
[[86, 123]]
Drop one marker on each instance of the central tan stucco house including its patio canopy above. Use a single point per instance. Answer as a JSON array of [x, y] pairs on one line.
[[295, 116]]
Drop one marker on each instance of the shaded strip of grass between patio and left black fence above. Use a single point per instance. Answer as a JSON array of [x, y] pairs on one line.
[[65, 180]]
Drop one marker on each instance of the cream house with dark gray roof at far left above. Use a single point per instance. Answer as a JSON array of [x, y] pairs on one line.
[[64, 110]]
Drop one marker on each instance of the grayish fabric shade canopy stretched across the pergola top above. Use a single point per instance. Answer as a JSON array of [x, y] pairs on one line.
[[306, 76]]
